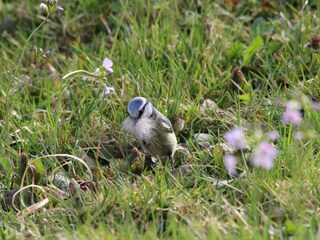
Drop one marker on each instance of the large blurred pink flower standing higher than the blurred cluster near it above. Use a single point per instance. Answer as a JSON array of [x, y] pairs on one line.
[[292, 114]]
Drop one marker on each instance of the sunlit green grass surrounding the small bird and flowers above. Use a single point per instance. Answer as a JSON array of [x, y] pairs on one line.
[[177, 54]]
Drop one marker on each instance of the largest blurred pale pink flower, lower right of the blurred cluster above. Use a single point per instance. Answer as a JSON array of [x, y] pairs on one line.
[[263, 155]]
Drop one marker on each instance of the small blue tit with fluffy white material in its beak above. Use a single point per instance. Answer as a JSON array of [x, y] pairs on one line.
[[151, 128]]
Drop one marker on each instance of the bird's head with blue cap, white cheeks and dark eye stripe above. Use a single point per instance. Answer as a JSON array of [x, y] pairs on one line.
[[139, 106]]
